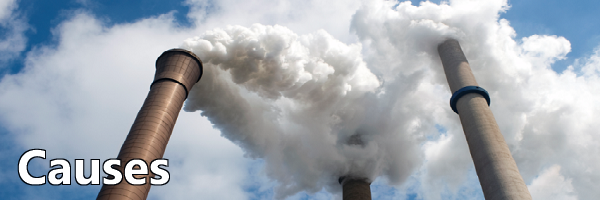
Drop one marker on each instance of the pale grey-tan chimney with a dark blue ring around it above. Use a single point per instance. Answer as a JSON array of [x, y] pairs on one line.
[[497, 171]]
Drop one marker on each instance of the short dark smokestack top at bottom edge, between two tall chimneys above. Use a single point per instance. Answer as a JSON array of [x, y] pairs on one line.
[[355, 188]]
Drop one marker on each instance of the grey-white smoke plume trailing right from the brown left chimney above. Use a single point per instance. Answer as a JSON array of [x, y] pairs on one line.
[[296, 101]]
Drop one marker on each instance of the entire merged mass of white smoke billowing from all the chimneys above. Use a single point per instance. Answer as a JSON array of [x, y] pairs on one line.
[[295, 100]]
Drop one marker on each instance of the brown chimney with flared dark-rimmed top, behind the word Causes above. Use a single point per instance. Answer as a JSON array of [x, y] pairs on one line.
[[177, 70]]
